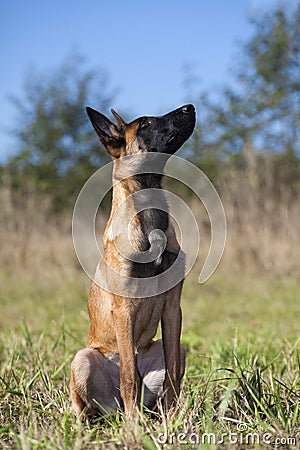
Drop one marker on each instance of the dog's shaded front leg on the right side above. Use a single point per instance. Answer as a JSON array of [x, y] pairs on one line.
[[171, 329]]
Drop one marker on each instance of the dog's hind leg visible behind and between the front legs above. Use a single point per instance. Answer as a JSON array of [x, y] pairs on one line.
[[151, 366]]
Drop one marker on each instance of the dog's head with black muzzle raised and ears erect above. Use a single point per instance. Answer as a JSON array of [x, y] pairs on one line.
[[164, 134]]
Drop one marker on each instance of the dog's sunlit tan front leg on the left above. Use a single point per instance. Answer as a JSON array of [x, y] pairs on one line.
[[129, 377]]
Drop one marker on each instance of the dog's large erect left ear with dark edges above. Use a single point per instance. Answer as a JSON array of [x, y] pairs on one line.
[[112, 137]]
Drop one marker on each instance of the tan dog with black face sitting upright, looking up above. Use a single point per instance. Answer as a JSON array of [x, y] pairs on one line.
[[123, 366]]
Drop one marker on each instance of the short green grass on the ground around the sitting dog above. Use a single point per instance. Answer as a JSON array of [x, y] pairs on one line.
[[241, 388]]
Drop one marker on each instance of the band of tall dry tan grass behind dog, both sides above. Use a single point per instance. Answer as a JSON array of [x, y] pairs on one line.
[[262, 213]]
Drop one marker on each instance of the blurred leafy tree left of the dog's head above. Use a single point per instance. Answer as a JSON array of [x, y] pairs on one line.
[[58, 149]]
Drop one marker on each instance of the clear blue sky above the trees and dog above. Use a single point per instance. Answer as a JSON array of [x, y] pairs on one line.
[[142, 45]]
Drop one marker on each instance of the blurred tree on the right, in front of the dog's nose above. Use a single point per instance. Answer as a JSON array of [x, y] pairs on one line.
[[262, 110]]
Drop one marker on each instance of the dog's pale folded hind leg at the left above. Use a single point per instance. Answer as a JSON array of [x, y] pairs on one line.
[[94, 383]]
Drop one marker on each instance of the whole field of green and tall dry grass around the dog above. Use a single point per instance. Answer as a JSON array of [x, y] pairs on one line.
[[241, 330]]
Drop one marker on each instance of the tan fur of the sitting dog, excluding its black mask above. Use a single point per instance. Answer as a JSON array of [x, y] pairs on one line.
[[121, 355]]
